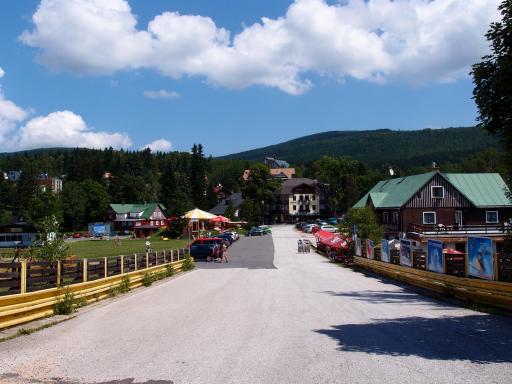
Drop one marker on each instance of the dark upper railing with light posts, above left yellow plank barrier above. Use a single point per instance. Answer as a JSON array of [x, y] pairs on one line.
[[32, 276]]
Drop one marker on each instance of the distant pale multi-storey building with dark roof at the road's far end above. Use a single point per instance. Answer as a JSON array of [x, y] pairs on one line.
[[300, 199]]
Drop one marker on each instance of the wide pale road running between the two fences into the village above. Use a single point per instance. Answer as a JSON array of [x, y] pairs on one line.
[[304, 321]]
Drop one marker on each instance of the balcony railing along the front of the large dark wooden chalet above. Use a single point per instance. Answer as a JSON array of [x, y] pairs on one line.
[[456, 229]]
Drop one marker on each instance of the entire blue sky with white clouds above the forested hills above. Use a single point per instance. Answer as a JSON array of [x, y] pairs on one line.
[[230, 74]]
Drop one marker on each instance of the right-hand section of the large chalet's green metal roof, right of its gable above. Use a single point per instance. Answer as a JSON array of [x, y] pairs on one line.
[[482, 189]]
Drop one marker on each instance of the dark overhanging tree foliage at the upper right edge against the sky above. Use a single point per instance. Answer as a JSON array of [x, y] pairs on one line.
[[492, 78]]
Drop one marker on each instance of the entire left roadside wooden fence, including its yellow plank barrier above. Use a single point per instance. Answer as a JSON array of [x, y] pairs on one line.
[[31, 289]]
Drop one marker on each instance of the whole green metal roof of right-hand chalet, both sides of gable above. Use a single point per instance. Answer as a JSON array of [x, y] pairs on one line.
[[481, 189]]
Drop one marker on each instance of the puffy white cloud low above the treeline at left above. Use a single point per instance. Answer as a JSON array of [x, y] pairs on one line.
[[66, 129]]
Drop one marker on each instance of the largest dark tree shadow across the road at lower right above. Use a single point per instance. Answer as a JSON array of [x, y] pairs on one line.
[[477, 338]]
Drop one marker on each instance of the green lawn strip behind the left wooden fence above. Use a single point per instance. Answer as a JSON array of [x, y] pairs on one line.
[[105, 248]]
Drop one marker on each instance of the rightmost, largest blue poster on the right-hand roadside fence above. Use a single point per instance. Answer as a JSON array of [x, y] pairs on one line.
[[481, 258]]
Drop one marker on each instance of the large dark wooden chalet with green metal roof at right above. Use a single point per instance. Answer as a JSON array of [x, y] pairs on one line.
[[448, 206]]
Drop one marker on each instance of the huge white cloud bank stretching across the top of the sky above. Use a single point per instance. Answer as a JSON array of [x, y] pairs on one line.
[[371, 40]]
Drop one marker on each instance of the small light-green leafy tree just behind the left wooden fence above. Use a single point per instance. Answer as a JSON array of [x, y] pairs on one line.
[[50, 245]]
